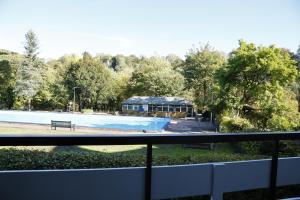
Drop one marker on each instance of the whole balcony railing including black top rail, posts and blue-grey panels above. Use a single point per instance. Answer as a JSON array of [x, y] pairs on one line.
[[149, 182]]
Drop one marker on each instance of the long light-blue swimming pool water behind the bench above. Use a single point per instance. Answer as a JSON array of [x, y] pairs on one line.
[[95, 121]]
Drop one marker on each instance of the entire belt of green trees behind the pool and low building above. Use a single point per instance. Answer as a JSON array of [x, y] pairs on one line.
[[252, 88]]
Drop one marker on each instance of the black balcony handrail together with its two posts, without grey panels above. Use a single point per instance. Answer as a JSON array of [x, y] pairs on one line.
[[151, 139]]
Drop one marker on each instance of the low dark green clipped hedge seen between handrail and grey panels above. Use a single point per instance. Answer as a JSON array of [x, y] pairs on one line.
[[12, 159]]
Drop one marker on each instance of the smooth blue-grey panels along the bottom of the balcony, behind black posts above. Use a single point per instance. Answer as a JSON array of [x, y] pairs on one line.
[[128, 183]]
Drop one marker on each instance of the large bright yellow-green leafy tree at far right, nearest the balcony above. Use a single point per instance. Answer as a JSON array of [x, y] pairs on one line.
[[255, 86]]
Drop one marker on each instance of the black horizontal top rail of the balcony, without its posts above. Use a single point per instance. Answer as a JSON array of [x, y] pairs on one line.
[[124, 139]]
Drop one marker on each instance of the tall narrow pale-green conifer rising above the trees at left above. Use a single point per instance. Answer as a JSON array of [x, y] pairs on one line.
[[29, 74]]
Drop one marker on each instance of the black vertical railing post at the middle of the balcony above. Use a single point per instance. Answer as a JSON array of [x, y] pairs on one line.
[[148, 178]]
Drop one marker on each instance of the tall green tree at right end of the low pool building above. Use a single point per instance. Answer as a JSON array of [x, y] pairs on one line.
[[199, 71]]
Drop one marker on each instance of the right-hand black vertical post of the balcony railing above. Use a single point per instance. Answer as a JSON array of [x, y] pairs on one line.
[[274, 167]]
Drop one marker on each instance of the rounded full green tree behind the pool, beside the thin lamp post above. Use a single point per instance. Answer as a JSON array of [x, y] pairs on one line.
[[93, 81]]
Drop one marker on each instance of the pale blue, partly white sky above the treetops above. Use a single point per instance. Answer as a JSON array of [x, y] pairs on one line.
[[147, 27]]
